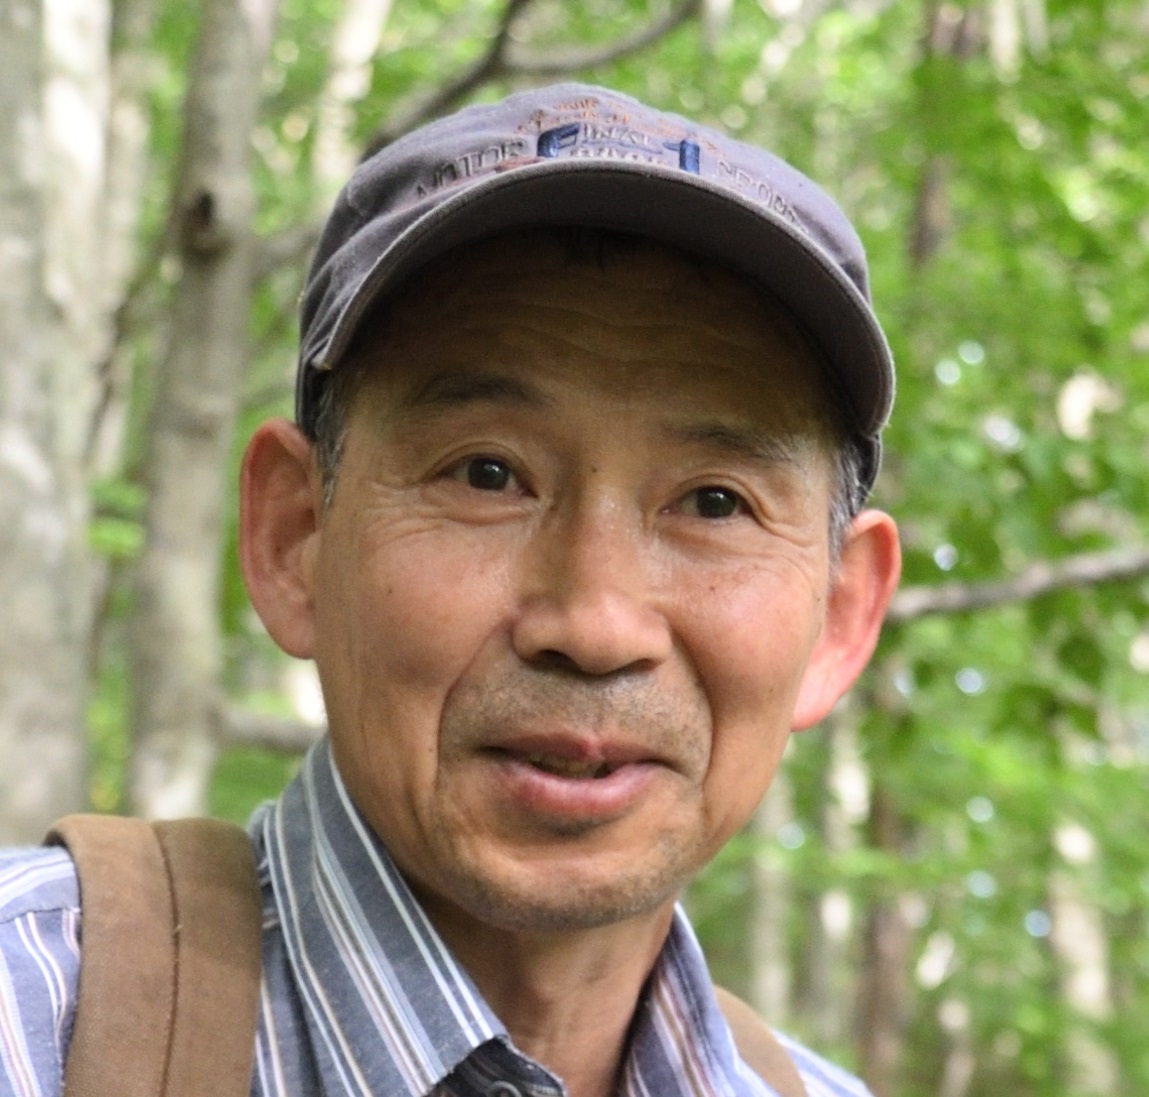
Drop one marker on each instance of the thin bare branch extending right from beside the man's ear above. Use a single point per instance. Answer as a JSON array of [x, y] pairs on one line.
[[1042, 578]]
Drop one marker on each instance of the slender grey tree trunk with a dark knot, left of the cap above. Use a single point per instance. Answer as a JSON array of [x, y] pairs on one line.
[[176, 645]]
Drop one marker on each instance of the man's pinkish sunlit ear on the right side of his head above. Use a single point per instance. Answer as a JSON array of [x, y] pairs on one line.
[[866, 581]]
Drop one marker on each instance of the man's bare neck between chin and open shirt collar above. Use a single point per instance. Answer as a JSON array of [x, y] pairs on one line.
[[567, 999]]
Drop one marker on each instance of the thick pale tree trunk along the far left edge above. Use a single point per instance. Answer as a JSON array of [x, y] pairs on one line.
[[53, 86]]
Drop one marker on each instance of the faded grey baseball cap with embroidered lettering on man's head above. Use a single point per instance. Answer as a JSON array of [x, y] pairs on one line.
[[579, 156]]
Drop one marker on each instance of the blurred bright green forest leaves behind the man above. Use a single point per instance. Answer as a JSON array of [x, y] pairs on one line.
[[1020, 436]]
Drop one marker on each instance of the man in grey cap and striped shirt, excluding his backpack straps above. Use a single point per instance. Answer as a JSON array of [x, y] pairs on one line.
[[570, 521]]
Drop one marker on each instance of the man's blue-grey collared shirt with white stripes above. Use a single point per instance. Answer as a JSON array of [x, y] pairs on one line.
[[360, 995]]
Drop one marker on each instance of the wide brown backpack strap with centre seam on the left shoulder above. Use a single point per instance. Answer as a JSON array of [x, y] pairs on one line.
[[172, 934]]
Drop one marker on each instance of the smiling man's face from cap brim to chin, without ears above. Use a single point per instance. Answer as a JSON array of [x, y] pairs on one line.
[[572, 580]]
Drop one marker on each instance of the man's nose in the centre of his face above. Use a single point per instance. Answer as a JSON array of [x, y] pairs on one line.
[[590, 597]]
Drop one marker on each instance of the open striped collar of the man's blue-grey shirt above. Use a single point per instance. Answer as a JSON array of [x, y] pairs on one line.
[[376, 977]]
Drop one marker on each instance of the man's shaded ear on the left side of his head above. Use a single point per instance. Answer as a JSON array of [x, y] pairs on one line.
[[280, 517]]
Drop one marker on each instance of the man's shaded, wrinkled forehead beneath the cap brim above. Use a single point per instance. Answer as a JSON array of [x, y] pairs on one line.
[[605, 313]]
